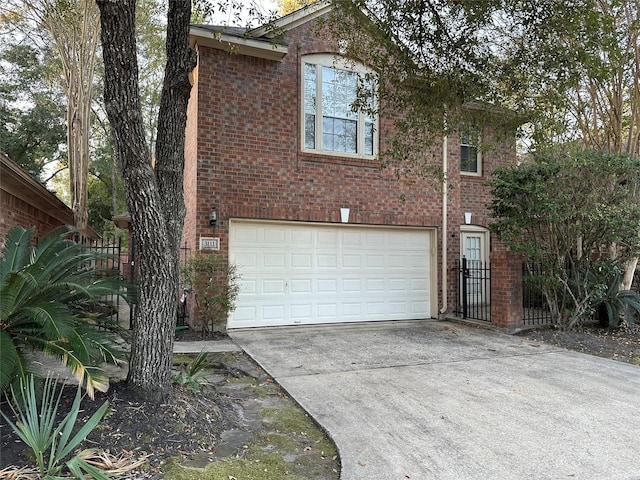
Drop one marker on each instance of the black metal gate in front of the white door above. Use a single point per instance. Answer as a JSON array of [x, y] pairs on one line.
[[473, 290]]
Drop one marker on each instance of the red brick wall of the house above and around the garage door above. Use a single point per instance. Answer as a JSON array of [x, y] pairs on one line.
[[244, 156]]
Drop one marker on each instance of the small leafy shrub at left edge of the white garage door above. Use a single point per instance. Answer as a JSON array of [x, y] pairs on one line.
[[214, 286]]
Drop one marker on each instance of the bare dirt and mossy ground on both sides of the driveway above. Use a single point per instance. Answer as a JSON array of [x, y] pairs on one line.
[[244, 416]]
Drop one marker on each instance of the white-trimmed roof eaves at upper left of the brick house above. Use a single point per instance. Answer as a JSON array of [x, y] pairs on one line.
[[258, 42]]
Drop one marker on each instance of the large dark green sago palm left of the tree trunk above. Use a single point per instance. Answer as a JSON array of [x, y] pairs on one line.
[[40, 290]]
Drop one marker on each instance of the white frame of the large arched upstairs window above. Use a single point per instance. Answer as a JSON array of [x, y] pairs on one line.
[[335, 62]]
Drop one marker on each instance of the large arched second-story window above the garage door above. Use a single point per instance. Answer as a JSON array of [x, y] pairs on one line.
[[331, 124]]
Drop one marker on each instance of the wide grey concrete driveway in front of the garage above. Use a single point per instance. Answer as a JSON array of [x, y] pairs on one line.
[[436, 400]]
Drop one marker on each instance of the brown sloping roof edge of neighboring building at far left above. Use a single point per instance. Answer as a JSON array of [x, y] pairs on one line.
[[15, 181]]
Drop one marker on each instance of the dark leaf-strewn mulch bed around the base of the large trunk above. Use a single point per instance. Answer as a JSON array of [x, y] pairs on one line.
[[189, 424]]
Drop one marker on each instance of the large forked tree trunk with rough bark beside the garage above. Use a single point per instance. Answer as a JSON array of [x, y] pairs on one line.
[[154, 197]]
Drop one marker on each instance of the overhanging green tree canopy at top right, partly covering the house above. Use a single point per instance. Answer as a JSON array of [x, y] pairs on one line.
[[570, 71]]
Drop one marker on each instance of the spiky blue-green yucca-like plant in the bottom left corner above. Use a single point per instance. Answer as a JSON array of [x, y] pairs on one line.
[[53, 445]]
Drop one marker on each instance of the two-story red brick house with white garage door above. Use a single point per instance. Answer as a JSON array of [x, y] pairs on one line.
[[317, 230]]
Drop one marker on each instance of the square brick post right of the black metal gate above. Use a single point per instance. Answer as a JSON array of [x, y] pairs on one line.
[[506, 290]]
